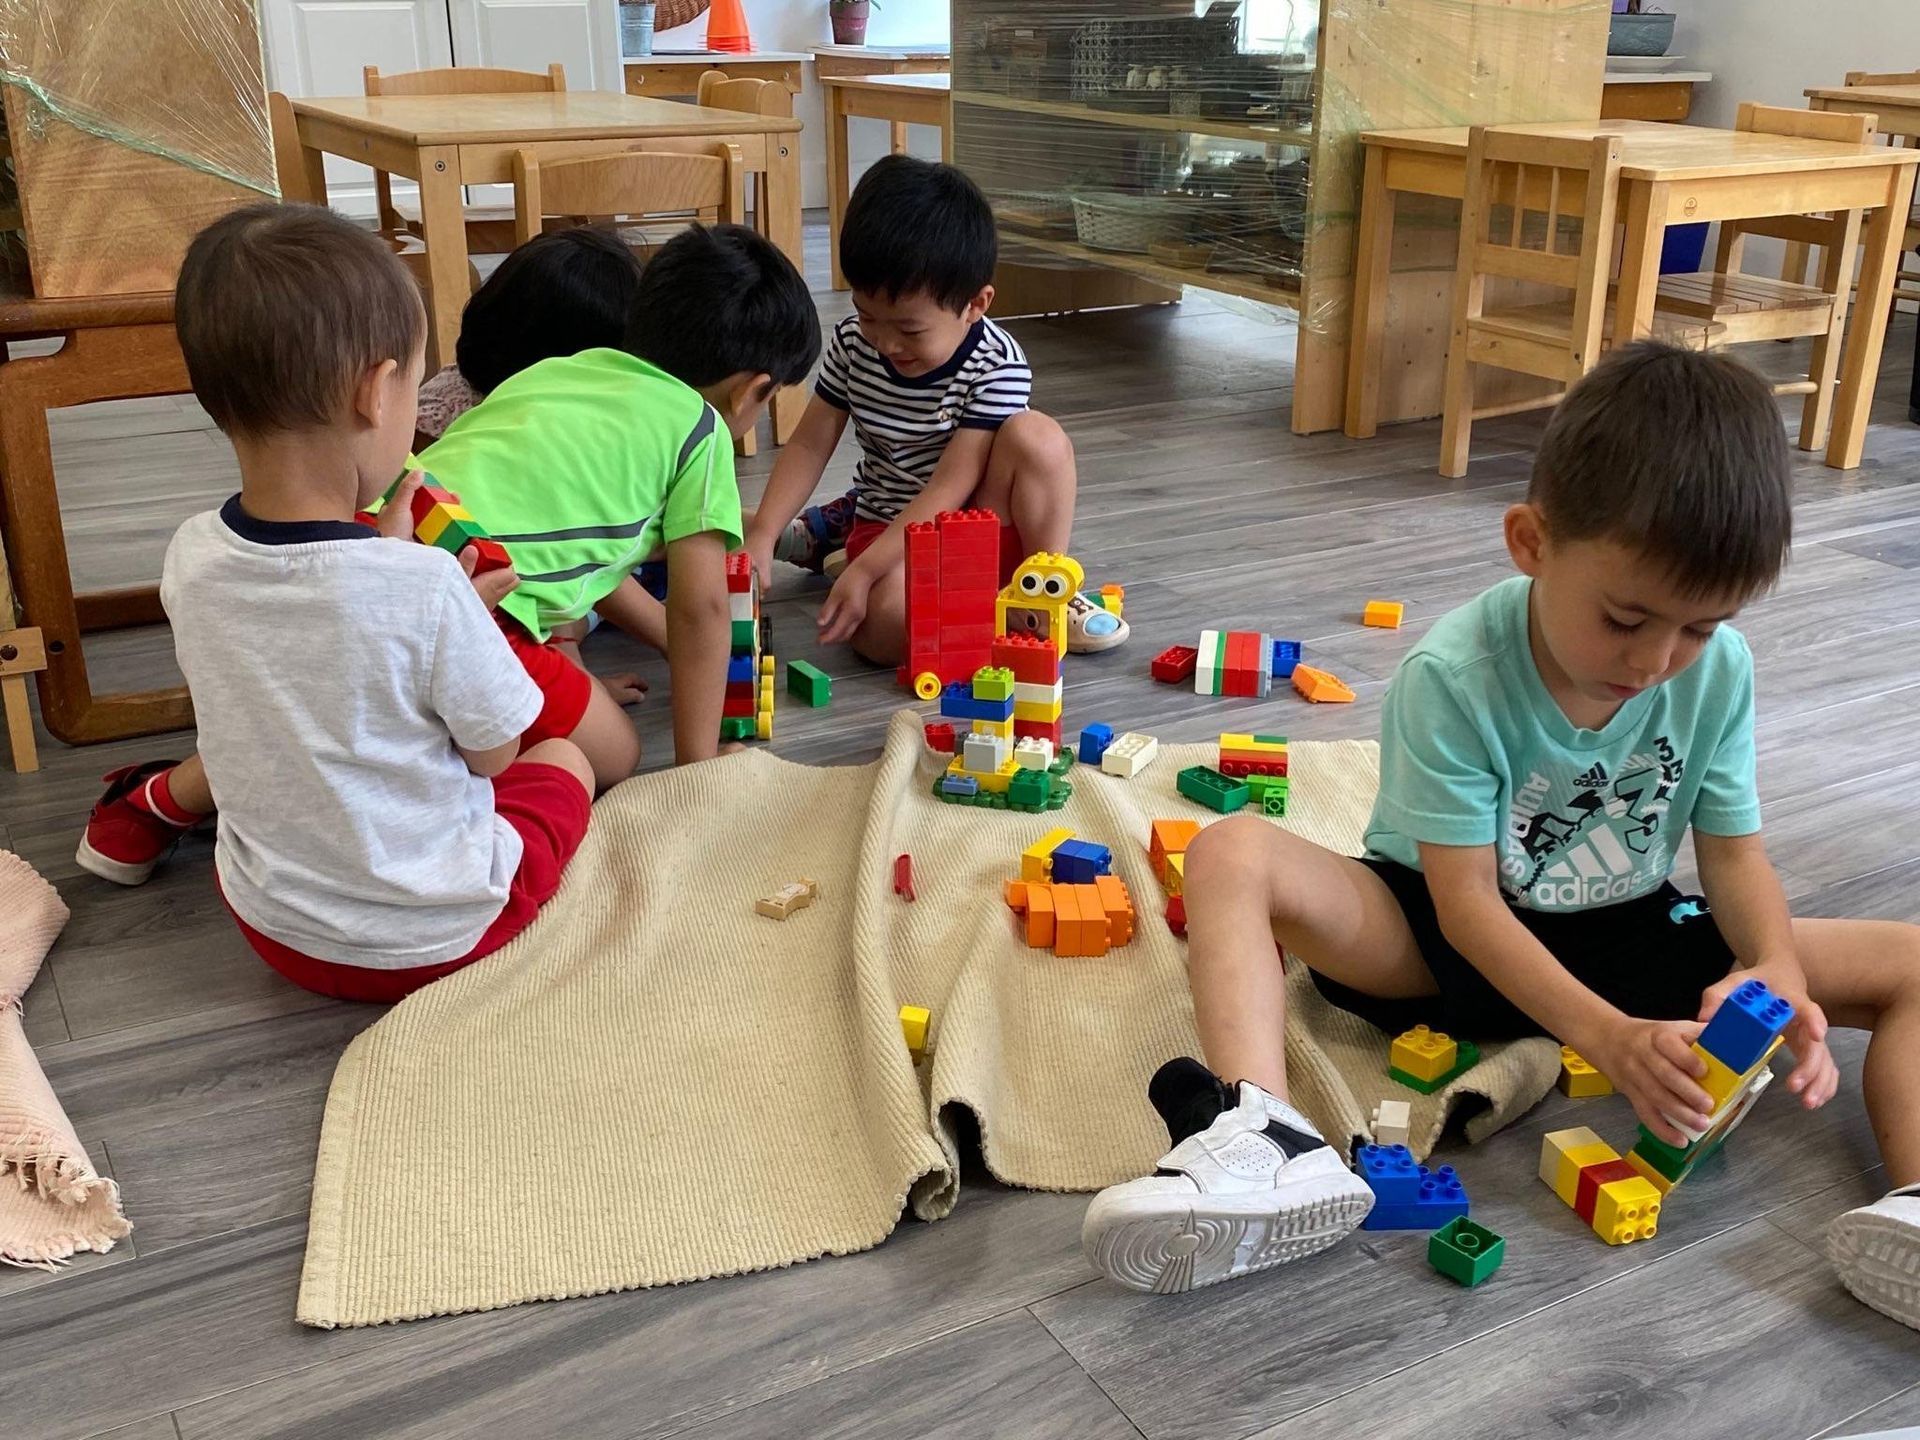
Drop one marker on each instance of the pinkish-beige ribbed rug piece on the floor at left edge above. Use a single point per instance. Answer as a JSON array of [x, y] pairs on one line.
[[53, 1201]]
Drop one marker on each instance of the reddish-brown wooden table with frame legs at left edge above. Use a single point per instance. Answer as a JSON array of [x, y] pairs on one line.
[[116, 348]]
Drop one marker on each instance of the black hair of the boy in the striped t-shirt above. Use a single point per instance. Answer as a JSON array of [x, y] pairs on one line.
[[919, 229]]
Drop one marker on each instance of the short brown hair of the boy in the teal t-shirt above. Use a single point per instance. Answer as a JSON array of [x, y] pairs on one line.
[[1679, 456]]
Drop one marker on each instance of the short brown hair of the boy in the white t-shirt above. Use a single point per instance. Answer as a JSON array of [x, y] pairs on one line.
[[283, 308]]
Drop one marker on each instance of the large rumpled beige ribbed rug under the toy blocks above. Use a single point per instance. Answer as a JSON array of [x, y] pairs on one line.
[[660, 1086]]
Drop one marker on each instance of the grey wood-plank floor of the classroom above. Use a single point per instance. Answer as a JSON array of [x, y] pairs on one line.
[[197, 1076]]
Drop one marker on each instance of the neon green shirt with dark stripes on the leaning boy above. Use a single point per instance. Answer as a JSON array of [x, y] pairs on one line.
[[583, 468]]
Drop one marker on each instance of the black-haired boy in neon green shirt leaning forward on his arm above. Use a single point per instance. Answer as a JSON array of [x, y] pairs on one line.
[[587, 466]]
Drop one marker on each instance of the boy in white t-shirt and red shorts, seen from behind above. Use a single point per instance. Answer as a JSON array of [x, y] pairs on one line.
[[360, 711]]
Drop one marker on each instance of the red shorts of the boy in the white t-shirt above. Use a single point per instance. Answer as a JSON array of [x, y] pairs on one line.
[[550, 813]]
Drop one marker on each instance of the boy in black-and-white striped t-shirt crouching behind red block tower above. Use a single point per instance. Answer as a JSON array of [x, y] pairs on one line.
[[938, 396]]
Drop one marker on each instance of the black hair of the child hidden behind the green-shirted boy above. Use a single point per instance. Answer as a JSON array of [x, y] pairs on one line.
[[558, 295]]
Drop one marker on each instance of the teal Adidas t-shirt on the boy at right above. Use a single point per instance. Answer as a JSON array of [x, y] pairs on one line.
[[1476, 752]]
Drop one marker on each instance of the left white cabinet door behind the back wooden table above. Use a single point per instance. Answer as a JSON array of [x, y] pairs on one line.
[[320, 47]]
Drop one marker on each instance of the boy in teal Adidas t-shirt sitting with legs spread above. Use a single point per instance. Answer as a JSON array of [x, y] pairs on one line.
[[1545, 752]]
